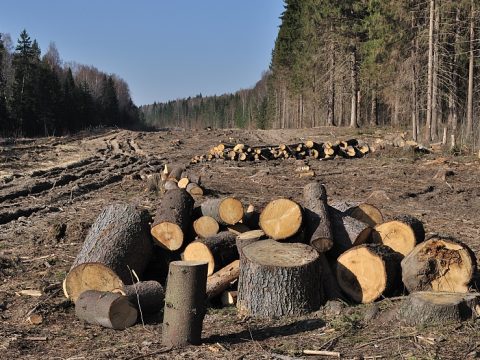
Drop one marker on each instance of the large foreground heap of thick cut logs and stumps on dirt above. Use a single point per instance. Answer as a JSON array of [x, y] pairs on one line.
[[286, 259]]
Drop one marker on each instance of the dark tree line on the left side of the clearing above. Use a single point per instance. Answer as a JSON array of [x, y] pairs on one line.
[[41, 96]]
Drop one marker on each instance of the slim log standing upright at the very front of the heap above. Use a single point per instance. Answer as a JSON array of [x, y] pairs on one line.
[[184, 303]]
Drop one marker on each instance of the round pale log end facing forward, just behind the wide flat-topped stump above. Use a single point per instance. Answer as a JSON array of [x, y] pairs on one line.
[[281, 219]]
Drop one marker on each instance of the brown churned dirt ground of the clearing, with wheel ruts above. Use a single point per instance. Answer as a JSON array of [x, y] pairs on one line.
[[51, 189]]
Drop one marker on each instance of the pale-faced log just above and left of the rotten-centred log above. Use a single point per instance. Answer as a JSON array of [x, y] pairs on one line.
[[401, 234]]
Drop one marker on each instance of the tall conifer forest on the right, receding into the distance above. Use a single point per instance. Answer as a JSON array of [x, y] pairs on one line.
[[406, 63]]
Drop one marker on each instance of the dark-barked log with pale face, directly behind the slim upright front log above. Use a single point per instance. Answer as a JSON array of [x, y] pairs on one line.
[[218, 250]]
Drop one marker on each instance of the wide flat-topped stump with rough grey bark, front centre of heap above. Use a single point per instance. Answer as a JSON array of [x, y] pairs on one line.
[[278, 279]]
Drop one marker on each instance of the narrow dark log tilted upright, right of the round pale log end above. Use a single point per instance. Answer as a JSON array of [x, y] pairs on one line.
[[318, 231]]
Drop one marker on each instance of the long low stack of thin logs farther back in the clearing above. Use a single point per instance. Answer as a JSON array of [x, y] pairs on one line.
[[309, 149]]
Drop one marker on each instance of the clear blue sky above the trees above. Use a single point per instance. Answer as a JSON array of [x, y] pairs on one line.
[[164, 49]]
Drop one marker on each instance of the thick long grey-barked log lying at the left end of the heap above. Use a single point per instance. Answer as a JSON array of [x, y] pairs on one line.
[[117, 243]]
